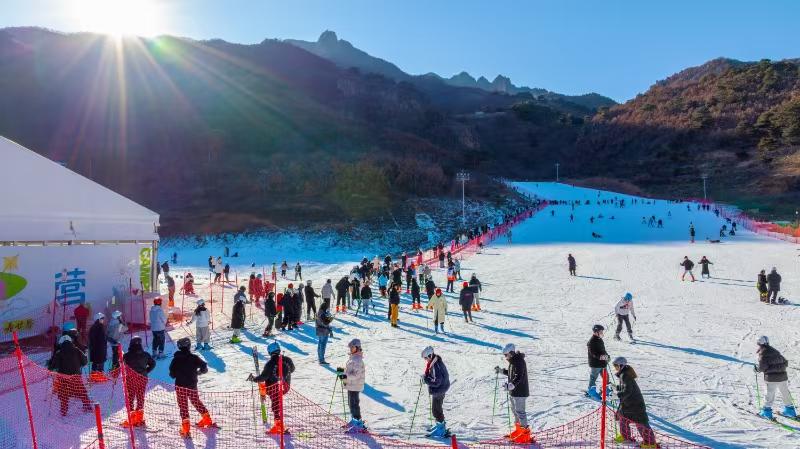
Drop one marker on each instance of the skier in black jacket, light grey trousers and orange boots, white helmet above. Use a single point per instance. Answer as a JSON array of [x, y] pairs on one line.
[[517, 388]]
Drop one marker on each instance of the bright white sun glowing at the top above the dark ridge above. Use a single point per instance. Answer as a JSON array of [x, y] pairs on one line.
[[119, 17]]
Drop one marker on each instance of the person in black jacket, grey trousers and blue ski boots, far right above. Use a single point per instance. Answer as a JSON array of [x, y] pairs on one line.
[[773, 365]]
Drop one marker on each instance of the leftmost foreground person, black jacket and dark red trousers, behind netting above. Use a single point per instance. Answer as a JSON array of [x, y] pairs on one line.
[[68, 361]]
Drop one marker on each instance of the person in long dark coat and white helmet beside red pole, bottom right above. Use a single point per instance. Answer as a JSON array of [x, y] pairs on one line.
[[631, 405]]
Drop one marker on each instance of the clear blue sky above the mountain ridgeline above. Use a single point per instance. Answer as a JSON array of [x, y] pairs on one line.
[[616, 48]]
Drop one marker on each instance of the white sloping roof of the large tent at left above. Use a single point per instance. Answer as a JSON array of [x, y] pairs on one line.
[[44, 201]]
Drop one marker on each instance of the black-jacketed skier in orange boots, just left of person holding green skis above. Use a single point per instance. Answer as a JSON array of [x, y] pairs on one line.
[[184, 368]]
